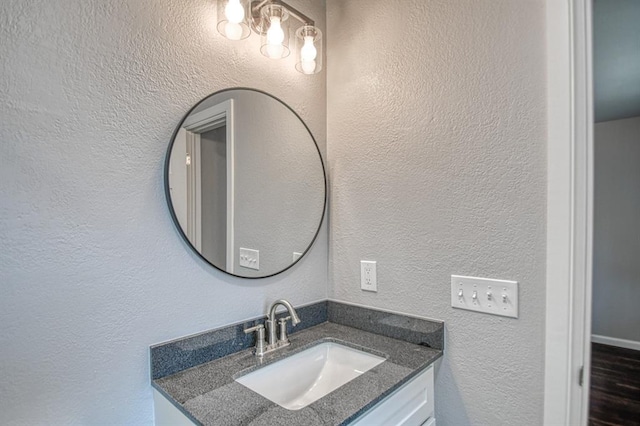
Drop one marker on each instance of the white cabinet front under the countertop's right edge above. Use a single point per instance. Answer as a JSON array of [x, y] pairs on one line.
[[410, 405]]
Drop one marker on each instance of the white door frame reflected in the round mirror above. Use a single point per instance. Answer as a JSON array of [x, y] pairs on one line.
[[211, 118]]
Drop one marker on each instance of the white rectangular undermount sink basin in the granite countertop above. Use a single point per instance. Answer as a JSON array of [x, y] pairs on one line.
[[305, 377]]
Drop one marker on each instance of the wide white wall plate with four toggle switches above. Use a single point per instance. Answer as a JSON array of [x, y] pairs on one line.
[[497, 297]]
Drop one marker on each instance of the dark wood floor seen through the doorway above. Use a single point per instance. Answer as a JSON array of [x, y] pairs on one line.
[[615, 386]]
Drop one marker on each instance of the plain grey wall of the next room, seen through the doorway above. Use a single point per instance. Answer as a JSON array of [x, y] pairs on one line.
[[616, 245]]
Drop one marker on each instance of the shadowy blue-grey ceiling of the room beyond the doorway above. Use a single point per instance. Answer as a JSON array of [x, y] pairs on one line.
[[616, 59]]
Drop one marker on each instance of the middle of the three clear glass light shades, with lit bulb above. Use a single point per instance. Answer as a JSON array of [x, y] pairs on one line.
[[275, 37]]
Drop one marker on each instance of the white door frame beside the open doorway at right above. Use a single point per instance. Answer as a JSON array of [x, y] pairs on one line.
[[569, 212]]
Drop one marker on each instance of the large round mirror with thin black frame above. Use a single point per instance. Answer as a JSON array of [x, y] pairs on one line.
[[245, 183]]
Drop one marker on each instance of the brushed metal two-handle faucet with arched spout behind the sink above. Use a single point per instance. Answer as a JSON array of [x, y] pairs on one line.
[[274, 339]]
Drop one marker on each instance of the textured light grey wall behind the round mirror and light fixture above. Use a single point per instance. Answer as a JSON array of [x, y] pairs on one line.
[[92, 270]]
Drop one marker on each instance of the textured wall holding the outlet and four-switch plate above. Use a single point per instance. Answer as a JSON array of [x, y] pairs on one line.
[[437, 154]]
